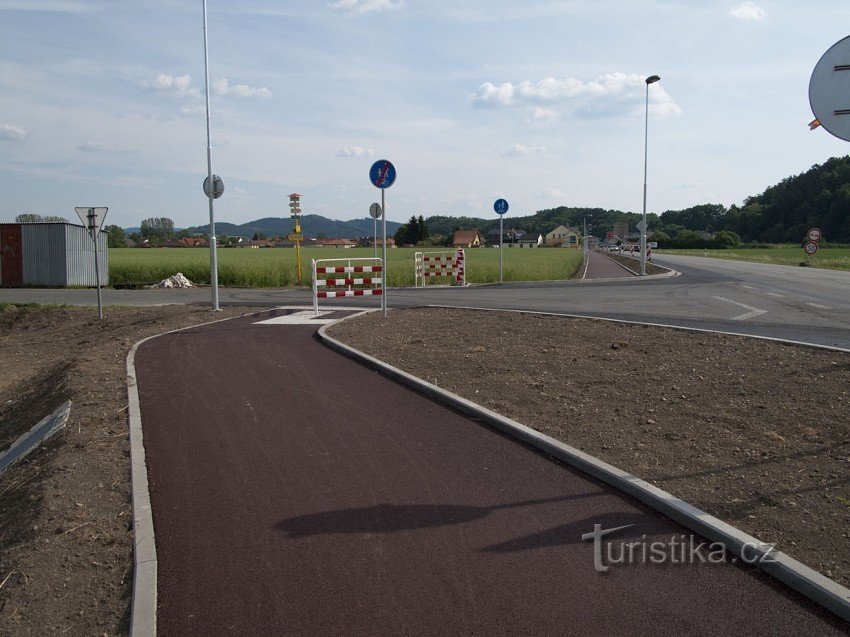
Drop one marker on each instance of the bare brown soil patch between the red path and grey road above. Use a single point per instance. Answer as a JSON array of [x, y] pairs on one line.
[[752, 431]]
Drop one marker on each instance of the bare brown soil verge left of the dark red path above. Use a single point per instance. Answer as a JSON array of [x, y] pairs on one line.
[[65, 511]]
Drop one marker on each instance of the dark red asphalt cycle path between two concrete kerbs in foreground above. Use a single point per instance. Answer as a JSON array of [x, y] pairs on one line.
[[297, 492]]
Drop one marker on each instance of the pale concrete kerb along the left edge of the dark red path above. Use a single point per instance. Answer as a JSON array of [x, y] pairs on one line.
[[144, 599]]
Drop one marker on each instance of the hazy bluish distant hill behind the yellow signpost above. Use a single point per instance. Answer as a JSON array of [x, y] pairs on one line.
[[311, 226]]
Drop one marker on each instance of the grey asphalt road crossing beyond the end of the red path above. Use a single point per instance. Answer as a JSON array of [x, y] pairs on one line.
[[788, 302]]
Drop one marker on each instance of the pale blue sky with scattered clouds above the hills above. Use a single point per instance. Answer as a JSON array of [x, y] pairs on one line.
[[541, 102]]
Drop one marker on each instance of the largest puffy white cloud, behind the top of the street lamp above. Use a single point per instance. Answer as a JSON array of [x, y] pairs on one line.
[[608, 95]]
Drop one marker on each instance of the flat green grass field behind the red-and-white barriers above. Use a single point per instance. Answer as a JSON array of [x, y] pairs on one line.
[[275, 267]]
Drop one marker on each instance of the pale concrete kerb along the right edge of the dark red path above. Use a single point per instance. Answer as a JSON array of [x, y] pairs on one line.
[[798, 576]]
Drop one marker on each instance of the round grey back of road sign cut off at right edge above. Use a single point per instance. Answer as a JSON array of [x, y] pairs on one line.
[[829, 89]]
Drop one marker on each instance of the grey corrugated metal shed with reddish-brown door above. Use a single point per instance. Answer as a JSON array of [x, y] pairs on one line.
[[53, 254]]
